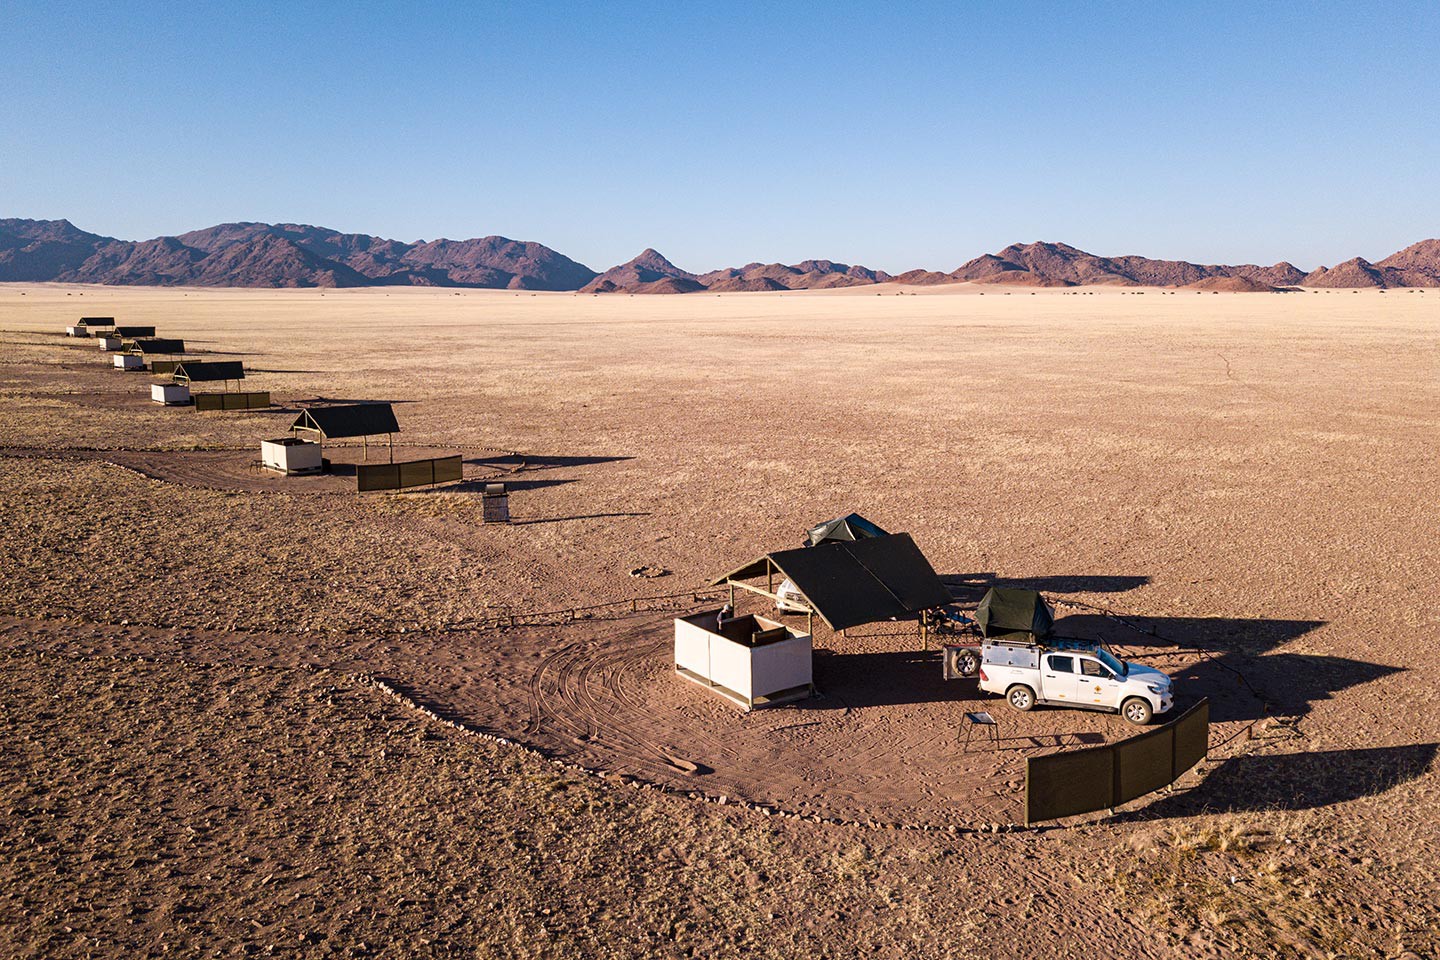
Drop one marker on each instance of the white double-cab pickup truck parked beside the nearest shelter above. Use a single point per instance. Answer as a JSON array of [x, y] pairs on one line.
[[1089, 679]]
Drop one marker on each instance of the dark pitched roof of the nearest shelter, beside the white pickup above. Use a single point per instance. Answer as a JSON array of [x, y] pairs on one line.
[[853, 582]]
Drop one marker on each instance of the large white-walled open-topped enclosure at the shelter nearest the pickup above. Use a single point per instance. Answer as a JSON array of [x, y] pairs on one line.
[[748, 660]]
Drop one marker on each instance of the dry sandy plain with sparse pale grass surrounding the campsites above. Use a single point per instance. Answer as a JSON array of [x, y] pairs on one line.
[[199, 764]]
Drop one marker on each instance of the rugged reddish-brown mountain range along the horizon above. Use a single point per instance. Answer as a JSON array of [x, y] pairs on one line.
[[300, 255]]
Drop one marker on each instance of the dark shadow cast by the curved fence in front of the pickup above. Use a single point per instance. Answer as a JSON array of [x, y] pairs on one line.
[[1297, 781]]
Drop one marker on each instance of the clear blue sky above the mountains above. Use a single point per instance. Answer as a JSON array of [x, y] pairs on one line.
[[918, 136]]
